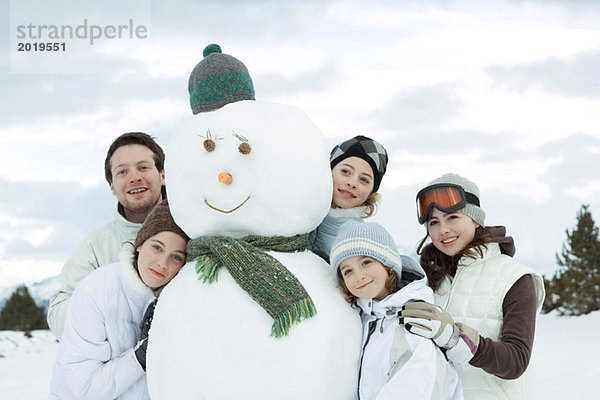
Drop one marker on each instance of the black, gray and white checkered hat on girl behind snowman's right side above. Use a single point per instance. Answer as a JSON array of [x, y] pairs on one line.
[[367, 149]]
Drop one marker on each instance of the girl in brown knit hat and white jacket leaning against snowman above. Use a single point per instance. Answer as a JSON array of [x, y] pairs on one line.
[[102, 351]]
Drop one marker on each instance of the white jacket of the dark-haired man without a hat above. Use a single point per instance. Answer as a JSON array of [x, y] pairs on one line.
[[99, 248]]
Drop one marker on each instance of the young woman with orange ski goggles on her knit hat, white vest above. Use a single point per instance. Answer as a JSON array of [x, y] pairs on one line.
[[485, 302]]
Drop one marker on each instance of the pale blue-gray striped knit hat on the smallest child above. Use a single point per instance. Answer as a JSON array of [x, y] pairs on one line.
[[365, 239]]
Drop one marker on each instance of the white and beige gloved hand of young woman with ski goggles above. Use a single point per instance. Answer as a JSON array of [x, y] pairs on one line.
[[427, 320]]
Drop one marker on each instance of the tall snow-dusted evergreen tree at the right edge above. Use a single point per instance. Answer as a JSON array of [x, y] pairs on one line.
[[575, 288]]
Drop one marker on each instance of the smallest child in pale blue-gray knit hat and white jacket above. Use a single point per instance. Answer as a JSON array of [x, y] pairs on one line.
[[394, 363]]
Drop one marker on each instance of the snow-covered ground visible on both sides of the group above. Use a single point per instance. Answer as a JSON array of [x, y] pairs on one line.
[[565, 363]]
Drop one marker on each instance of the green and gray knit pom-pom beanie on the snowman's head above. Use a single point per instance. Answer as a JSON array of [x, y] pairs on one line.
[[217, 80]]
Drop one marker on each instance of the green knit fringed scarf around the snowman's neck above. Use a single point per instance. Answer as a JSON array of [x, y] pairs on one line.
[[264, 278]]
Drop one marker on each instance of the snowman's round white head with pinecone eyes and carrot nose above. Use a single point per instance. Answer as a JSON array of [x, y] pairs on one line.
[[249, 167]]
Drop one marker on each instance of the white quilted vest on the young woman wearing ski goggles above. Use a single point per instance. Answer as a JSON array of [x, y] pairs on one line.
[[475, 298]]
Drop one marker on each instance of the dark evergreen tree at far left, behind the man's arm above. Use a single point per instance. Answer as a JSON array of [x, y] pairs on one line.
[[20, 313]]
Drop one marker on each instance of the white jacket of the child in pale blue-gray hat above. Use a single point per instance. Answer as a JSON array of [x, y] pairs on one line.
[[396, 364]]
